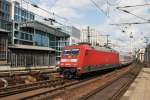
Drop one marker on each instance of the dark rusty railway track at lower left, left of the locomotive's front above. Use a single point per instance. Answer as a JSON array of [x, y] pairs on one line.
[[28, 87]]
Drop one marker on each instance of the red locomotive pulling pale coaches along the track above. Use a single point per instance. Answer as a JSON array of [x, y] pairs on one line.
[[83, 58]]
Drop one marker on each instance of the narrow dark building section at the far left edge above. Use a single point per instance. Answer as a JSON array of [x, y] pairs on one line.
[[5, 29]]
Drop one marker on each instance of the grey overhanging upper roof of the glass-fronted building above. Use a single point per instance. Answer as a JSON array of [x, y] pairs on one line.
[[43, 27]]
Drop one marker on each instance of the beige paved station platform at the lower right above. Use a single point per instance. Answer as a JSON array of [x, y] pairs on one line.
[[140, 88]]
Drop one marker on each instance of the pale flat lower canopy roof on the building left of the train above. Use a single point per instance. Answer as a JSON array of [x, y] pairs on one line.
[[27, 47]]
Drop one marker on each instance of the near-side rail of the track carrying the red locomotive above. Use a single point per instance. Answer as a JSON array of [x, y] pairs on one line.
[[48, 94]]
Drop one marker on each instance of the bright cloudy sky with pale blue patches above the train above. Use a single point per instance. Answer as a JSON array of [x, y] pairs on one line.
[[83, 13]]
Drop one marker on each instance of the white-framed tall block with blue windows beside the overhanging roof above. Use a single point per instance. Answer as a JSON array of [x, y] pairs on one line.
[[23, 36]]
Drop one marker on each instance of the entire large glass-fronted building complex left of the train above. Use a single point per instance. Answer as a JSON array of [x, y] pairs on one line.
[[30, 43]]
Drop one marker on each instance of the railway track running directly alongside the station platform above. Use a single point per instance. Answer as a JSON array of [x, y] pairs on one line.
[[128, 79]]
